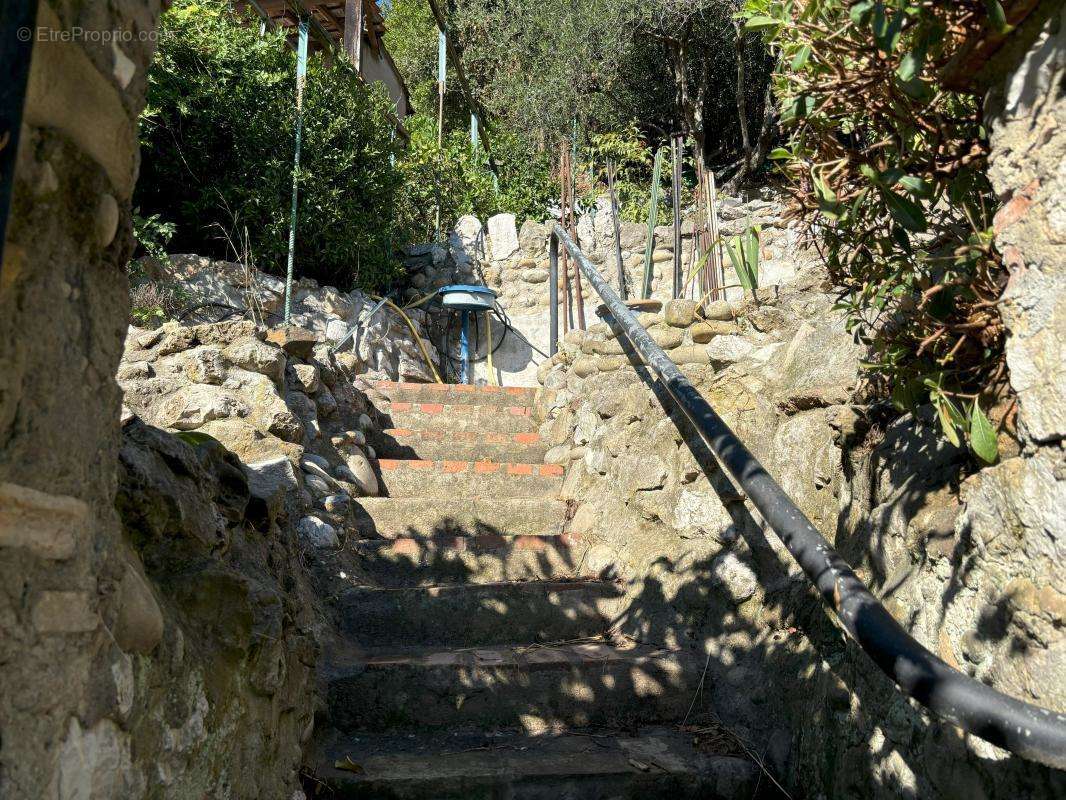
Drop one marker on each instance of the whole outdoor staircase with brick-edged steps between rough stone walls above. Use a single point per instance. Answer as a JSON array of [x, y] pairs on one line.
[[475, 658]]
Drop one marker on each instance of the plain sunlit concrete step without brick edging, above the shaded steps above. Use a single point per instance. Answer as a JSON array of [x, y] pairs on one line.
[[397, 517]]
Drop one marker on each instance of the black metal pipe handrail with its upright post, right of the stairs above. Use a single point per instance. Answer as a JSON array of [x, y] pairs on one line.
[[1026, 730]]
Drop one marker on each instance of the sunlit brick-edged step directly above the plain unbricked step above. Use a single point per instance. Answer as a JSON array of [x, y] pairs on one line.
[[486, 479]]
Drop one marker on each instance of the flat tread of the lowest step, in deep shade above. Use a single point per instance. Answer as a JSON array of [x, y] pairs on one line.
[[494, 756]]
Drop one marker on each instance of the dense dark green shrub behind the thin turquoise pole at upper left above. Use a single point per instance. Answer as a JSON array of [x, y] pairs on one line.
[[218, 141]]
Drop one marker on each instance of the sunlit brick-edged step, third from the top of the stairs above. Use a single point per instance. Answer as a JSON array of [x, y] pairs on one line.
[[405, 443]]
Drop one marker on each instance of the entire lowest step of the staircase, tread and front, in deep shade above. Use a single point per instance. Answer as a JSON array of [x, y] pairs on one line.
[[651, 764]]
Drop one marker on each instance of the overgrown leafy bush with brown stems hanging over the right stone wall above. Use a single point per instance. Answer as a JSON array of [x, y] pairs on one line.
[[887, 166]]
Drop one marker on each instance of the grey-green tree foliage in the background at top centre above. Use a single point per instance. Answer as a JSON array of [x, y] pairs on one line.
[[610, 65]]
